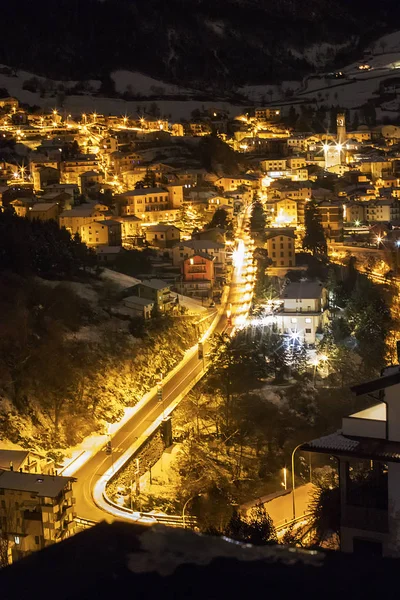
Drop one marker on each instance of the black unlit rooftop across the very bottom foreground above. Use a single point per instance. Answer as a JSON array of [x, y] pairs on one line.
[[130, 561]]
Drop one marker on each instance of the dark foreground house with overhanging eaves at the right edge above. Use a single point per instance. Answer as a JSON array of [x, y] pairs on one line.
[[367, 449]]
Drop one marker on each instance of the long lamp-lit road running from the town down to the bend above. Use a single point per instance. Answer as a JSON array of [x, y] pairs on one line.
[[238, 301]]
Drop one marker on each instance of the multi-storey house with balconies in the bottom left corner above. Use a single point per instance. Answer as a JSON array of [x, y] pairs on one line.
[[36, 510]]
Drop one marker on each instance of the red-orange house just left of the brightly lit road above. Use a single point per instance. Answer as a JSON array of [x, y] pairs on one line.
[[198, 275]]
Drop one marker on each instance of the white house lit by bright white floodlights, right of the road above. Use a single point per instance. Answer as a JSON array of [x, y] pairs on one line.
[[304, 310]]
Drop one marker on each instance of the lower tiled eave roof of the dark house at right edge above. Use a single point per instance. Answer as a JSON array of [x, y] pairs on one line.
[[342, 445]]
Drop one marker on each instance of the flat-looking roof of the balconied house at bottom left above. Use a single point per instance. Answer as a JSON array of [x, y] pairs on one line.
[[41, 485]]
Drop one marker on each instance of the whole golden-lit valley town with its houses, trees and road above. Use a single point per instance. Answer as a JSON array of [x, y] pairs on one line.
[[257, 246]]
